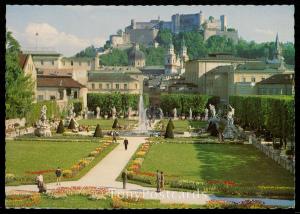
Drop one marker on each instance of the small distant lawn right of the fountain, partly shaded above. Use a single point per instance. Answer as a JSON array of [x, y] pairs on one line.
[[182, 125]]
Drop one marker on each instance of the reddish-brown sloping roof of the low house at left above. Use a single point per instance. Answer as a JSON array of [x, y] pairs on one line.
[[58, 81]]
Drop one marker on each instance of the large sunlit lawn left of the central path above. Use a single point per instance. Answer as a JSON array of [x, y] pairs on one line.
[[32, 156]]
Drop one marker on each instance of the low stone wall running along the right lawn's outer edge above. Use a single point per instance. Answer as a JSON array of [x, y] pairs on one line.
[[275, 155]]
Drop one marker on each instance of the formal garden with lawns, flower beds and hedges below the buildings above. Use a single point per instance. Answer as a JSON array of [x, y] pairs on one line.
[[177, 140]]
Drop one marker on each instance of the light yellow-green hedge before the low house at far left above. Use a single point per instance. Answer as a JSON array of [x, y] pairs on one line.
[[35, 112]]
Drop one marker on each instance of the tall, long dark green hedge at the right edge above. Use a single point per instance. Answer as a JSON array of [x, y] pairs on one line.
[[273, 113]]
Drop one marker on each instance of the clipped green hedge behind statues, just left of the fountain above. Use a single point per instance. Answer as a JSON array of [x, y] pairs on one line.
[[121, 101]]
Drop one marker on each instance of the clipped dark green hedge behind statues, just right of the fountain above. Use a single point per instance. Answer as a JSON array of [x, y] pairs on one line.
[[183, 103]]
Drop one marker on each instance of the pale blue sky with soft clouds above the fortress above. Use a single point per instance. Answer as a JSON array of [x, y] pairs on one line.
[[70, 29]]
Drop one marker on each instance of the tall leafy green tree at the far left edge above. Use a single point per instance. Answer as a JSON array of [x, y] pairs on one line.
[[18, 86]]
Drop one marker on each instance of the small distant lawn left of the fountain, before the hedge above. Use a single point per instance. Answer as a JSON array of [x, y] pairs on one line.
[[106, 124]]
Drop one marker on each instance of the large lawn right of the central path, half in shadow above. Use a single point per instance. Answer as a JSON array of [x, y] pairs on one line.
[[242, 164]]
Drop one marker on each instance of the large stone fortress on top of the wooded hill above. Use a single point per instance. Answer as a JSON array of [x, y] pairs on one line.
[[145, 32]]
